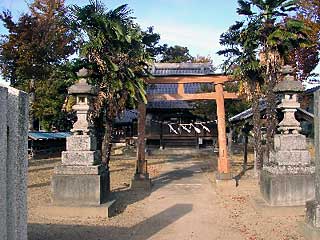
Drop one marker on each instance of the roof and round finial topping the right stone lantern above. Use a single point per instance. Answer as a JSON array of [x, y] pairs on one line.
[[288, 84]]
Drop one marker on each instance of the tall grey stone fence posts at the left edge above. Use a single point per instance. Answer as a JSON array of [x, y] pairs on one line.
[[13, 163]]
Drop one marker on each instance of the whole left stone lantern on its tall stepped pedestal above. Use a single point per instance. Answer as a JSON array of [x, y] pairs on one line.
[[81, 179]]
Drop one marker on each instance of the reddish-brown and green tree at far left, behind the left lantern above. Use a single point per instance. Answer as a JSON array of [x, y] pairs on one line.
[[34, 56]]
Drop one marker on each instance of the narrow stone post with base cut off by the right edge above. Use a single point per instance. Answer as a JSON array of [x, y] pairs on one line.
[[313, 206]]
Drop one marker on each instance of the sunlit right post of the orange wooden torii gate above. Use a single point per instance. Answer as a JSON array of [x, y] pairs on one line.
[[223, 161]]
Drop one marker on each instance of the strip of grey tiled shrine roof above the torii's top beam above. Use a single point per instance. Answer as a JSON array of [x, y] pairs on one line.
[[172, 69]]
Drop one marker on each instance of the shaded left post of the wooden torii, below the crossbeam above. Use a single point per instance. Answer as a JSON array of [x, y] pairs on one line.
[[141, 178]]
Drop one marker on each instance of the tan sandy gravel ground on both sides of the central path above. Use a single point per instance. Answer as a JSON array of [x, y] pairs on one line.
[[245, 214]]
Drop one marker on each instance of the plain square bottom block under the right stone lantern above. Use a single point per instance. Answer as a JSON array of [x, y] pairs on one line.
[[286, 189]]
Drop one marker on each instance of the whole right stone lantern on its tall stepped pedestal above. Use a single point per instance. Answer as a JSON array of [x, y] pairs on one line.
[[287, 175]]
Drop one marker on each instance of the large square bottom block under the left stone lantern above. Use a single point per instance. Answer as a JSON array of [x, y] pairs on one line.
[[80, 185]]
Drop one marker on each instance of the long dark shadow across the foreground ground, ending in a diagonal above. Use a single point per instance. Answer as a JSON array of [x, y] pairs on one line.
[[142, 231]]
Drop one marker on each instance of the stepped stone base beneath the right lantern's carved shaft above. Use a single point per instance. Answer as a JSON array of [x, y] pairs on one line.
[[287, 179]]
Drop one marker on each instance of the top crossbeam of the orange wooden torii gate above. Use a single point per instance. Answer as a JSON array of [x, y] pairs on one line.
[[189, 79]]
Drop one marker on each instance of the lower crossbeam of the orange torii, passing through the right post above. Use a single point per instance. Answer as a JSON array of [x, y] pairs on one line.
[[190, 96]]
